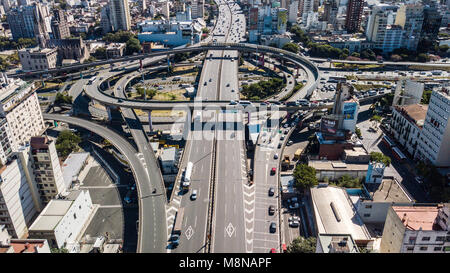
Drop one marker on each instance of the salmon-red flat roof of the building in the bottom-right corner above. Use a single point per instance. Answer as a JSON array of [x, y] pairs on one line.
[[415, 217]]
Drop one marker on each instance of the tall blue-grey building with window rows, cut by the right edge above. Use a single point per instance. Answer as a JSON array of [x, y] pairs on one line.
[[434, 142]]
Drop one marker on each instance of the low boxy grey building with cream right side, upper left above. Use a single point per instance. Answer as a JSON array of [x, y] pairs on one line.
[[38, 59]]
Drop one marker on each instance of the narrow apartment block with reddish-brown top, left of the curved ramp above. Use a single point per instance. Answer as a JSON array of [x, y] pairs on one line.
[[47, 170]]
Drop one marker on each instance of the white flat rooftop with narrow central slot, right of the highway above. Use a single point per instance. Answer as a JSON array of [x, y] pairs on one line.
[[327, 223]]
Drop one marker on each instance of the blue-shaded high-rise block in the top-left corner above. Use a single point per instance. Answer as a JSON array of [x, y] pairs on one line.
[[28, 22]]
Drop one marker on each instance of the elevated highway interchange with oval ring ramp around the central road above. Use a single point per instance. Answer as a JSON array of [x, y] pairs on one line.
[[230, 214]]
